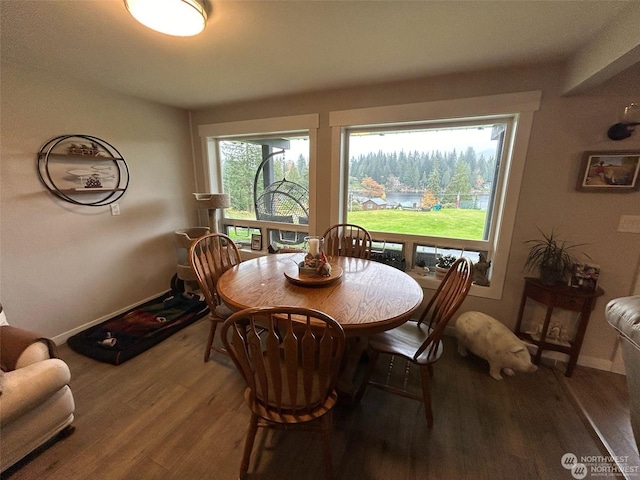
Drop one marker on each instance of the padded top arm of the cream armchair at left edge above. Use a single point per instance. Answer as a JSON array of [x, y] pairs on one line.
[[27, 387]]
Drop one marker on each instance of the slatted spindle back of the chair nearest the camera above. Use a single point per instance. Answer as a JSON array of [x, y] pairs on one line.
[[293, 365]]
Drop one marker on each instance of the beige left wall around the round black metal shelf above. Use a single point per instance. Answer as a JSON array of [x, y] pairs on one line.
[[63, 266]]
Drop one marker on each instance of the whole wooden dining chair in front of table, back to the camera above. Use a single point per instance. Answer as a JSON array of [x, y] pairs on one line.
[[289, 358]]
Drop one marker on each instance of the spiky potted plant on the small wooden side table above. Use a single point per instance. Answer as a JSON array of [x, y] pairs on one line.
[[552, 257]]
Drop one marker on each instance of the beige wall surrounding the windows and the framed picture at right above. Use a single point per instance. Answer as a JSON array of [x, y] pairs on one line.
[[563, 129]]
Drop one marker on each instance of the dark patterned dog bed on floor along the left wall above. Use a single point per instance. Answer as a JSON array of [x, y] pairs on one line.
[[123, 337]]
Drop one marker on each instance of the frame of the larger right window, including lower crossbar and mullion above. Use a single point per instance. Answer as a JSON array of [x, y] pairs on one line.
[[518, 107]]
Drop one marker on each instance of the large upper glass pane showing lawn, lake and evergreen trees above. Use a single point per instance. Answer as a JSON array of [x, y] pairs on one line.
[[425, 180]]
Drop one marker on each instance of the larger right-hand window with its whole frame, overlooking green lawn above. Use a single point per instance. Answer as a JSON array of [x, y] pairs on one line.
[[435, 179]]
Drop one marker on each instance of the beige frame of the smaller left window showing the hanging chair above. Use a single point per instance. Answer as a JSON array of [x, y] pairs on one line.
[[209, 133]]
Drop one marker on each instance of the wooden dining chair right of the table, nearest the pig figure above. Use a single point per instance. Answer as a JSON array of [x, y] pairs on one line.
[[420, 342]]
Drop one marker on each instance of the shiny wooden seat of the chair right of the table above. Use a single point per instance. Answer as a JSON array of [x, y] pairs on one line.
[[405, 340]]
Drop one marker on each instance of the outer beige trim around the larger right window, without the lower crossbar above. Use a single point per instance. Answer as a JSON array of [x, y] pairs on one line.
[[521, 106]]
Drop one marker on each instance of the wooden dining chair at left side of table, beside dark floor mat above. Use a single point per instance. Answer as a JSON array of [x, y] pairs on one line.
[[210, 256]]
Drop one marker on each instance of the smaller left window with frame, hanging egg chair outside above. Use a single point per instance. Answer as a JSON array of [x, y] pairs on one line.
[[265, 166]]
